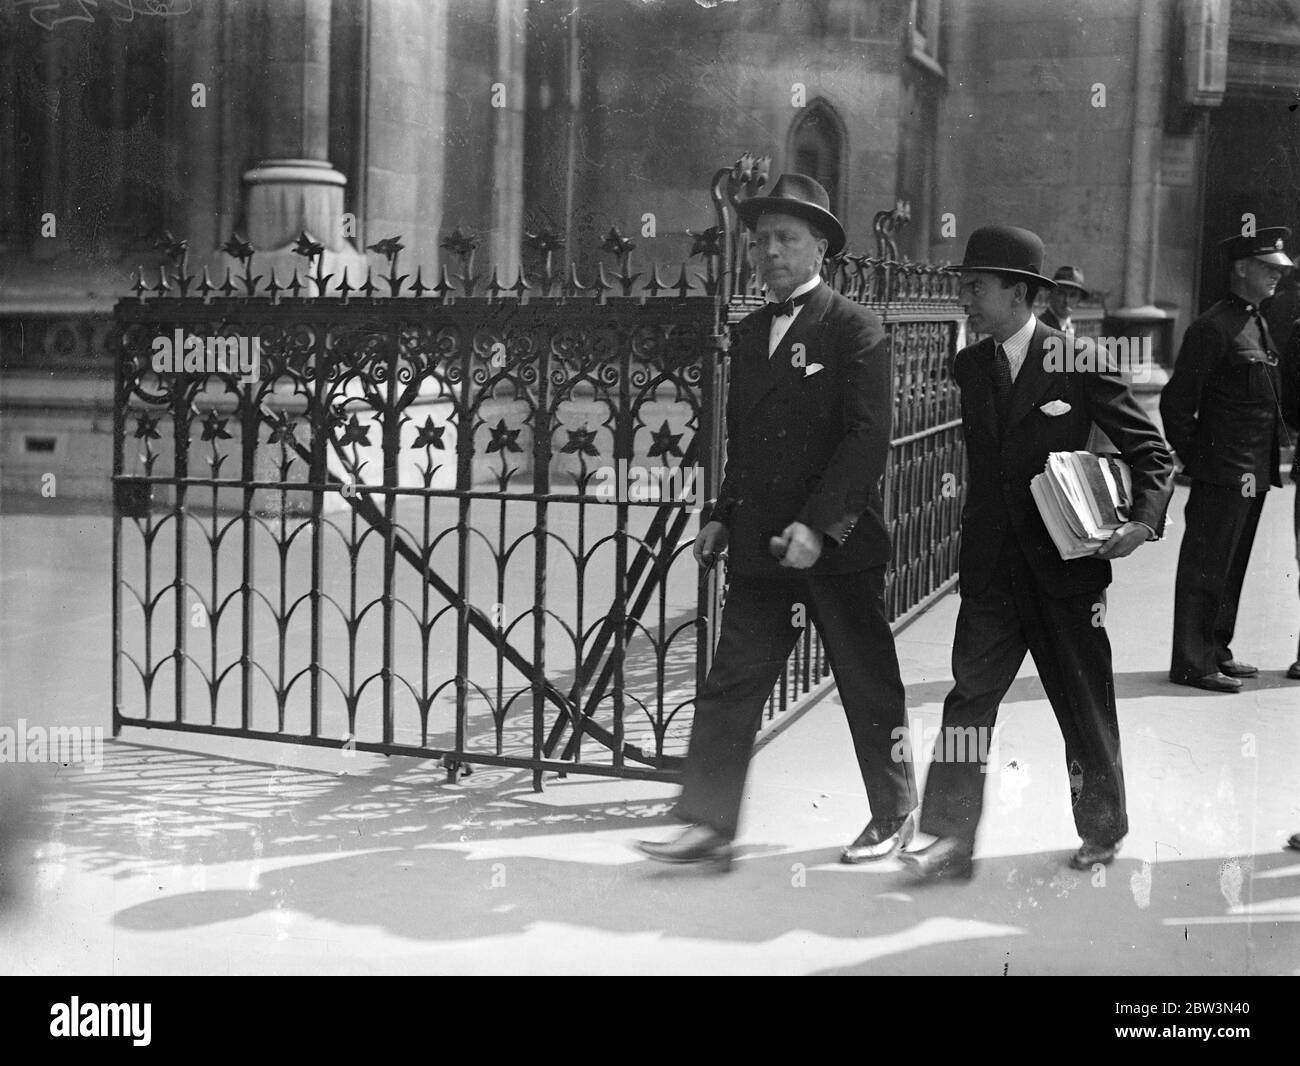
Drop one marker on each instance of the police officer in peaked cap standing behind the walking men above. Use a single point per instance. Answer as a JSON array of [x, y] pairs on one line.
[[1223, 413]]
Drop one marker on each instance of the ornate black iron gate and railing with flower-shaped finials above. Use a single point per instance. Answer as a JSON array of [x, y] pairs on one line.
[[460, 526]]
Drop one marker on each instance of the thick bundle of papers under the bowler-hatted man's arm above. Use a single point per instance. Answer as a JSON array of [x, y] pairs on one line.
[[1084, 499]]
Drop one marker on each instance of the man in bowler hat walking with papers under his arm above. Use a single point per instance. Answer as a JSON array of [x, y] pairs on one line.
[[1019, 595]]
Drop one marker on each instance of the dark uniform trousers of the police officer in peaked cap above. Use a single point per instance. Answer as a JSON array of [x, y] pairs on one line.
[[1217, 540]]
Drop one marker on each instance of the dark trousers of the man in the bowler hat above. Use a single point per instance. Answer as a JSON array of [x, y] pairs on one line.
[[1068, 640]]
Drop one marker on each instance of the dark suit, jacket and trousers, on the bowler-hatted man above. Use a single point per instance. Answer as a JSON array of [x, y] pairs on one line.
[[1019, 595]]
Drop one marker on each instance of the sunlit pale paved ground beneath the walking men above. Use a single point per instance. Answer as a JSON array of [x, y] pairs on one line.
[[192, 855]]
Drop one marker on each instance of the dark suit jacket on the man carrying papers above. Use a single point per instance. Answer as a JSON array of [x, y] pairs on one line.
[[1002, 465]]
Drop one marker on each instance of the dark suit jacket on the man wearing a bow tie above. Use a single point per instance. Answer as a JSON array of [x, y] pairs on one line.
[[809, 445]]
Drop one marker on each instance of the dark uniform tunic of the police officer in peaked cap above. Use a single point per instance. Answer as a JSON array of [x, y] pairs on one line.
[[1223, 405]]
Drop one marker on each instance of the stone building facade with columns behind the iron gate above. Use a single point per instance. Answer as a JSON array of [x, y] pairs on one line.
[[1132, 135]]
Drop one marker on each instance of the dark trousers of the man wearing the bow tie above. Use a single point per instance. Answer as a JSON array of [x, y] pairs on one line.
[[756, 642]]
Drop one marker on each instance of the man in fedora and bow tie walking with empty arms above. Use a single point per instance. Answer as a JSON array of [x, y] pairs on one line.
[[800, 515]]
